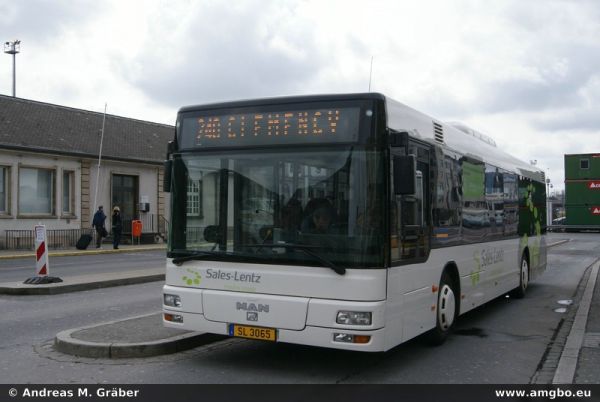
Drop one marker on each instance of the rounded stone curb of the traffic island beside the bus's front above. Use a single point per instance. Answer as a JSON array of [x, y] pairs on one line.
[[65, 343]]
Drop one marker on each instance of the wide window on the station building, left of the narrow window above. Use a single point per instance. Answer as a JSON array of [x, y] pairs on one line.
[[36, 191]]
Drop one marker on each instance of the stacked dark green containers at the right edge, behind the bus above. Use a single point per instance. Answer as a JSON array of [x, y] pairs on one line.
[[582, 191]]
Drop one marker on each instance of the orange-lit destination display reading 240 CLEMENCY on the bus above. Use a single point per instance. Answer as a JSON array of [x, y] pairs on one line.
[[272, 128]]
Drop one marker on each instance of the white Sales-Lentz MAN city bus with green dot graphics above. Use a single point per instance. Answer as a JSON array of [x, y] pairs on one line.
[[346, 221]]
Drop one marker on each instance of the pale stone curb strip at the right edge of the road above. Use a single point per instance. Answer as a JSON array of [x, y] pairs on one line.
[[565, 372]]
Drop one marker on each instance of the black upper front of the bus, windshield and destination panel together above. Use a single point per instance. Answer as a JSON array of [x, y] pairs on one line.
[[231, 197]]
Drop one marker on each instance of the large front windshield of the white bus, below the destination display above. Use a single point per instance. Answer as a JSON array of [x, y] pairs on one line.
[[280, 207]]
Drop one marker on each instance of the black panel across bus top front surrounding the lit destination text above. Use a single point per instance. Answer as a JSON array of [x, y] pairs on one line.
[[357, 116]]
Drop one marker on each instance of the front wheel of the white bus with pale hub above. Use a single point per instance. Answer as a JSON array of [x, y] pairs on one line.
[[446, 310]]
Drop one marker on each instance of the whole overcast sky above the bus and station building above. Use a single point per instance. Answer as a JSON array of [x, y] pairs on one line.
[[527, 73]]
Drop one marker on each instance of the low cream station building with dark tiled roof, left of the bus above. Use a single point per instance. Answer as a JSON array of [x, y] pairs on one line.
[[49, 171]]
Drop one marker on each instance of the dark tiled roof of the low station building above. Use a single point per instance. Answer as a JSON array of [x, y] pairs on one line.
[[46, 128]]
